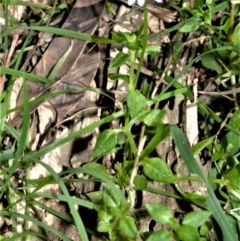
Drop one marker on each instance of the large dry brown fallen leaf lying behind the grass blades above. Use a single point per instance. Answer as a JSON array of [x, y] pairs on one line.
[[76, 70]]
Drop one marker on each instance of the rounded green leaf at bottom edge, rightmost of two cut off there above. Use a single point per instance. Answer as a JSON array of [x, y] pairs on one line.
[[188, 233]]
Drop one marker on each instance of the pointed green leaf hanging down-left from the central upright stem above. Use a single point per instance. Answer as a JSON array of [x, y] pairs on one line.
[[105, 143]]
